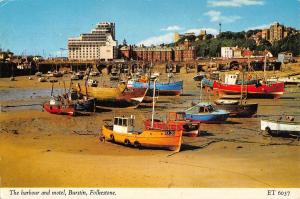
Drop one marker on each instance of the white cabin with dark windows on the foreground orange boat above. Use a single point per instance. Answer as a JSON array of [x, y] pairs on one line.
[[124, 124]]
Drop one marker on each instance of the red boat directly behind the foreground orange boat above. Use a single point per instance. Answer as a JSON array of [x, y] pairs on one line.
[[176, 122]]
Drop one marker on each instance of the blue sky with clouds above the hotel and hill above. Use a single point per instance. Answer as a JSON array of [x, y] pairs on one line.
[[43, 26]]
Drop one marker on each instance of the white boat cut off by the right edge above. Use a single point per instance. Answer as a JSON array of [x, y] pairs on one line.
[[285, 125]]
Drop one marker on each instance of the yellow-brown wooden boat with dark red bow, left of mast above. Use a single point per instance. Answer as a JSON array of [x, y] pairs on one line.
[[118, 97]]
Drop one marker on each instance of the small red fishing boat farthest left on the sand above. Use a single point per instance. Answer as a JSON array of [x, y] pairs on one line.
[[56, 106]]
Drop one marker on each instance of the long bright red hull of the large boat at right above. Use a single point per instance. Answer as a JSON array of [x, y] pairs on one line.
[[258, 90]]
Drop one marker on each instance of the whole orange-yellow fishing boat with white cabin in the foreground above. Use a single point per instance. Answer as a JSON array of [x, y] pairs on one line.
[[123, 131]]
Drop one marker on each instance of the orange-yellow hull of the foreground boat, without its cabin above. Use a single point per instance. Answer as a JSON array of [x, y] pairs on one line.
[[149, 138]]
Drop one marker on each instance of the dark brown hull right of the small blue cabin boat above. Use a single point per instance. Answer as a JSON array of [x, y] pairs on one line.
[[239, 110]]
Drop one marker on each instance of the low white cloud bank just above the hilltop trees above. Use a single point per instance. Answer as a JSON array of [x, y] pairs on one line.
[[169, 37]]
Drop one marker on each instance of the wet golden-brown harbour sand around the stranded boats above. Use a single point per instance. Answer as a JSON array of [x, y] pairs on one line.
[[39, 149]]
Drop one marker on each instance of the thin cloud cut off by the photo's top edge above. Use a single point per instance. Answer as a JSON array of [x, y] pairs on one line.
[[234, 3]]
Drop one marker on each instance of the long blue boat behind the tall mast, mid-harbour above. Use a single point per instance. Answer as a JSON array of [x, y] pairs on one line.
[[169, 88]]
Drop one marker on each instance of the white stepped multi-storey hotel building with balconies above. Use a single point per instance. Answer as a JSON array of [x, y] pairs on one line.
[[100, 44]]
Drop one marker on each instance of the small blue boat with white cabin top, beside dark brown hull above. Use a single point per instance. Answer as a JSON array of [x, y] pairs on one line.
[[206, 113]]
